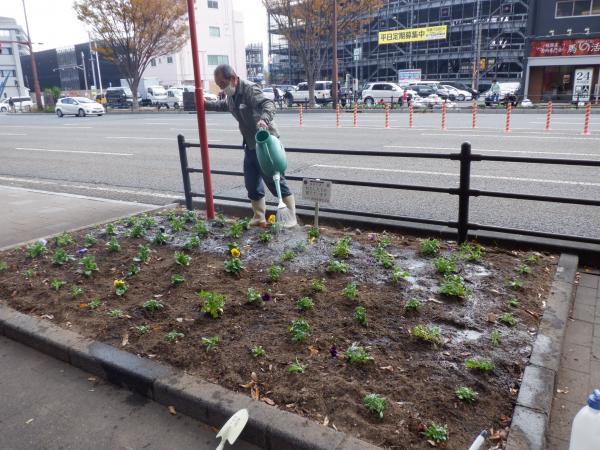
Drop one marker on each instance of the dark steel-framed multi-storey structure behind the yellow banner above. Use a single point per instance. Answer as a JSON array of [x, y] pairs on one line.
[[486, 39]]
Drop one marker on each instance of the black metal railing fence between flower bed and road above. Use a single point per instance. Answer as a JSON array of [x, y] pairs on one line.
[[463, 191]]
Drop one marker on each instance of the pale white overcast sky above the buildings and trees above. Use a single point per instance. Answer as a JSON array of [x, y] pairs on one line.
[[53, 22]]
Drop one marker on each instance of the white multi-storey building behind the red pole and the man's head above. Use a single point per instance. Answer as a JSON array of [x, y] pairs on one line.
[[220, 31]]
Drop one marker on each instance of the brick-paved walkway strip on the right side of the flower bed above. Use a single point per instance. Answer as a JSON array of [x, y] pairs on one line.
[[579, 373]]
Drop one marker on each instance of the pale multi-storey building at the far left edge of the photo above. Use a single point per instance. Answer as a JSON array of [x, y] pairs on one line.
[[11, 73]]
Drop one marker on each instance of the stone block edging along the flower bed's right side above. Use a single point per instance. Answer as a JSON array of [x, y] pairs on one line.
[[534, 403]]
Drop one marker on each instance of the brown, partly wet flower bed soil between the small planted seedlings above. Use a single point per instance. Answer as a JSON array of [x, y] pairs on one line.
[[417, 378]]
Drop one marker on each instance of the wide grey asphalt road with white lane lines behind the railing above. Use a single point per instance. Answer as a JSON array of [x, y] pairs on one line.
[[134, 157]]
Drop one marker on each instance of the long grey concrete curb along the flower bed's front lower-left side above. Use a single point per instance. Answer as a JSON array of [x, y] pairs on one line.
[[268, 427]]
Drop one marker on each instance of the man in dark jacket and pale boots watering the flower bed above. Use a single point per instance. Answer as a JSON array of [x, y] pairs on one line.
[[246, 102]]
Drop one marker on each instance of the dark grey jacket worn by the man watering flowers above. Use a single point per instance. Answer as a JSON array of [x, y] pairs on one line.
[[248, 105]]
